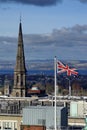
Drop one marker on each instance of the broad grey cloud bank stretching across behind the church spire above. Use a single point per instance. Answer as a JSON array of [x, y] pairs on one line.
[[66, 43]]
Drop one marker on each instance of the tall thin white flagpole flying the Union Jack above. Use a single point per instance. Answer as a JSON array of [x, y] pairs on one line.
[[55, 81]]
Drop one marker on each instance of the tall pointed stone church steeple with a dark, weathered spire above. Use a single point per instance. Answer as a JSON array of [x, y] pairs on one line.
[[19, 89]]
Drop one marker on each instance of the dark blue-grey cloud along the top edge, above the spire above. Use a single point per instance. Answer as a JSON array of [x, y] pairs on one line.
[[34, 2]]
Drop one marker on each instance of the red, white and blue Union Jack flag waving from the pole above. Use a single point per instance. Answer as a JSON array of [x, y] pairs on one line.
[[65, 68]]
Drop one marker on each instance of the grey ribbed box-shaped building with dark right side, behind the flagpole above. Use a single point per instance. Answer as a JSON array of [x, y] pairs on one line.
[[44, 116]]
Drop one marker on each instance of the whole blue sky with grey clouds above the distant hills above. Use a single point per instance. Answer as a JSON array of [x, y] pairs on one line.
[[50, 28]]
